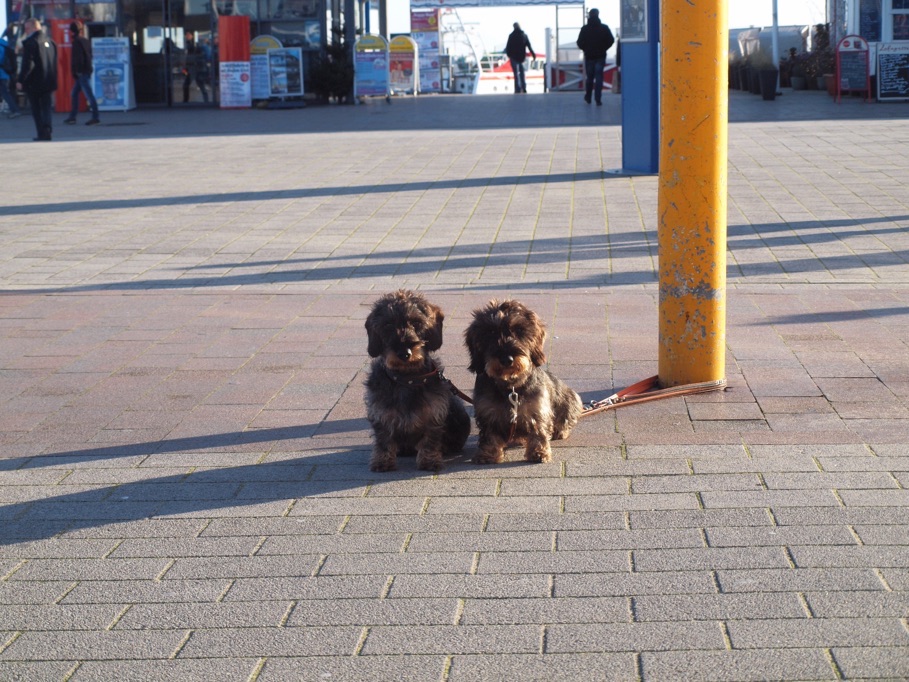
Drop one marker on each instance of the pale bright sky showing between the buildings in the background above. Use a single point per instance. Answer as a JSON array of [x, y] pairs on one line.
[[493, 24]]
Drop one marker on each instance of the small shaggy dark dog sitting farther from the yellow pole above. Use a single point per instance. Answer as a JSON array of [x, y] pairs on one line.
[[409, 404]]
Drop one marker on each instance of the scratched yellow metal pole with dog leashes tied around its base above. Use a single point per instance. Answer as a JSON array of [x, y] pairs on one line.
[[692, 191]]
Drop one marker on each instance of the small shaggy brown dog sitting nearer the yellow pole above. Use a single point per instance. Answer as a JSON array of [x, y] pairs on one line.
[[505, 341]]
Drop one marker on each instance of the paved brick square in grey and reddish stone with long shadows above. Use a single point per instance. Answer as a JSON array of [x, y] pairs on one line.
[[184, 488]]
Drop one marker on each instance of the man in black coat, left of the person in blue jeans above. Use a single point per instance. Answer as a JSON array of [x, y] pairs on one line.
[[38, 76]]
